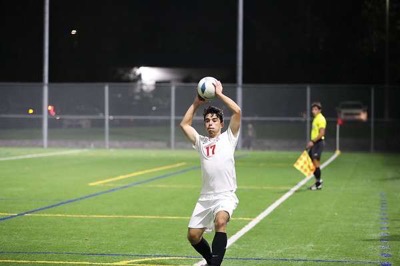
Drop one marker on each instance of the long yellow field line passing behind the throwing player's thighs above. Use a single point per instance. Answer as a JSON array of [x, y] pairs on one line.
[[114, 216]]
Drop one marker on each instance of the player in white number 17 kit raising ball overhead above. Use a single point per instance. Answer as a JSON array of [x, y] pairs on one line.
[[217, 199]]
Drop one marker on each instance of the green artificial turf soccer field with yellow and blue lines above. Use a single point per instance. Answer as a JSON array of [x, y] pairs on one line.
[[132, 207]]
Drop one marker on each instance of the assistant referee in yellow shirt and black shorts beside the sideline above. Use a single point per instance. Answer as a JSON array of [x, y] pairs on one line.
[[316, 145]]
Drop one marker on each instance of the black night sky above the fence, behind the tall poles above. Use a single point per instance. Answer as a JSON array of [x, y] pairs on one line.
[[296, 41]]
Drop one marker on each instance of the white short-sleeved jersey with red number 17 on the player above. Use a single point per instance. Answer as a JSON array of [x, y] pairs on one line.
[[217, 162]]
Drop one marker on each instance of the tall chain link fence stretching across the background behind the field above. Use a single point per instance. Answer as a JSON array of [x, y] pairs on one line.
[[131, 115]]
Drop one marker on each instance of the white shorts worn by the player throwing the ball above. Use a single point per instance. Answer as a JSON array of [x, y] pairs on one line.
[[208, 206]]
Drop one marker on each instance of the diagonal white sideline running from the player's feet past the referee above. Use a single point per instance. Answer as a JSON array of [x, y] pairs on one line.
[[272, 207]]
